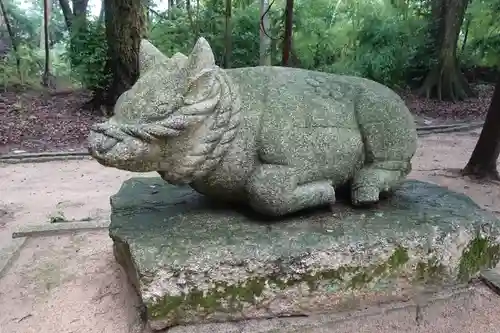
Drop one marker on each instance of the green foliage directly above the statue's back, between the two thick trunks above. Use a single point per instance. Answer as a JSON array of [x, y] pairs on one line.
[[371, 39]]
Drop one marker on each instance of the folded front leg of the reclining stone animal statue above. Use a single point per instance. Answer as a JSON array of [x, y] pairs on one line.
[[278, 190]]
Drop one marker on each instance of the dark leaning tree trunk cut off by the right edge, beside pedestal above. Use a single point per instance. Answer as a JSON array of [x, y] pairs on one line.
[[483, 161]]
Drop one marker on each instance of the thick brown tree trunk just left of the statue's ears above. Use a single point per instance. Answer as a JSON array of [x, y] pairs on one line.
[[125, 27]]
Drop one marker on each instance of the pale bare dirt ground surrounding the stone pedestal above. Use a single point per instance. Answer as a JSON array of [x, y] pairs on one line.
[[71, 283]]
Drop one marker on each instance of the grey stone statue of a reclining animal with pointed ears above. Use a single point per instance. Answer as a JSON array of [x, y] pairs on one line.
[[280, 139]]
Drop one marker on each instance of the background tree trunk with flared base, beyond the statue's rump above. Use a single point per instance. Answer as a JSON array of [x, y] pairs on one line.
[[445, 81]]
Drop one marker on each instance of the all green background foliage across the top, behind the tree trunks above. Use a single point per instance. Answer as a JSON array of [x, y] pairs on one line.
[[385, 40]]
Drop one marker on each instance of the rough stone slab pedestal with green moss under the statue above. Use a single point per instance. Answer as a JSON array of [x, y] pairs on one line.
[[193, 260]]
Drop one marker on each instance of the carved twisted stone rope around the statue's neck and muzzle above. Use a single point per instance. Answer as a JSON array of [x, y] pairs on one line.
[[218, 113]]
